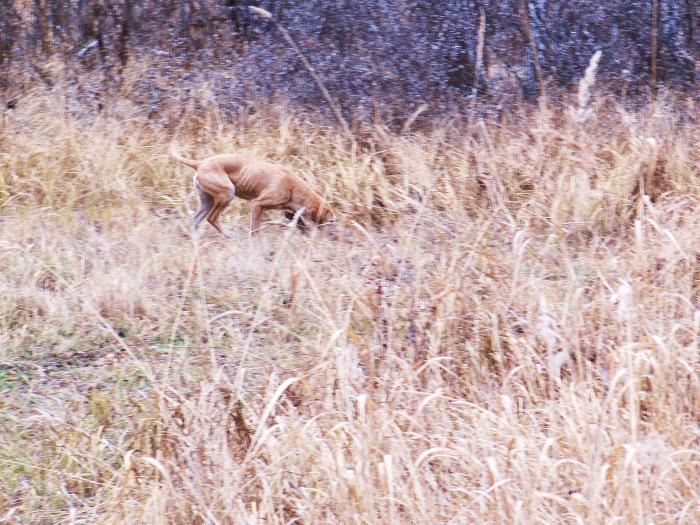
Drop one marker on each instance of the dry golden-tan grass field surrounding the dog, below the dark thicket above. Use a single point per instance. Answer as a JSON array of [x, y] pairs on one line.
[[506, 330]]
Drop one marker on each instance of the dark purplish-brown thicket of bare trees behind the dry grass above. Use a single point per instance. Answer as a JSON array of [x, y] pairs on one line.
[[370, 53]]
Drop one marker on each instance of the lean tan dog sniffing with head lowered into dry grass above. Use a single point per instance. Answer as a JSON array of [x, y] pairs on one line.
[[267, 186]]
